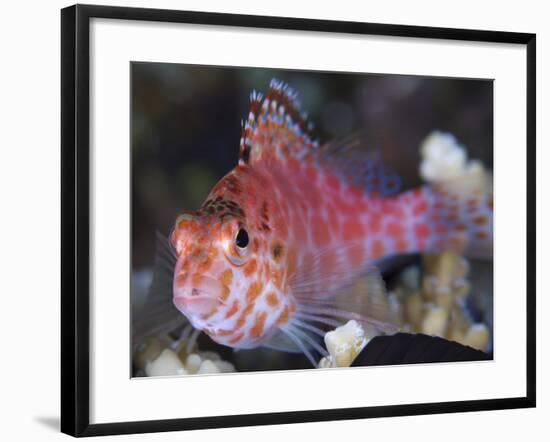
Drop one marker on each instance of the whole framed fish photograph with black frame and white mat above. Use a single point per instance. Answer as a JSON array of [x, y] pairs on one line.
[[273, 220]]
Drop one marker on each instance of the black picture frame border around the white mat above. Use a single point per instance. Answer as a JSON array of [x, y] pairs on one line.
[[75, 212]]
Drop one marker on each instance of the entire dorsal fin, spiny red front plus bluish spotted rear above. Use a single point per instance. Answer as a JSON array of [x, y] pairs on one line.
[[276, 128]]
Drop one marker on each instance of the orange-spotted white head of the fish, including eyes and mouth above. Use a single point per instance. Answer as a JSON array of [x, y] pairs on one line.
[[224, 280]]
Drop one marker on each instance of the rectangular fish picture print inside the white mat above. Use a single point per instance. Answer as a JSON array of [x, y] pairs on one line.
[[288, 220]]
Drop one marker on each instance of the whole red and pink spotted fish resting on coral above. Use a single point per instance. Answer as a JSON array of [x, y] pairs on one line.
[[282, 235]]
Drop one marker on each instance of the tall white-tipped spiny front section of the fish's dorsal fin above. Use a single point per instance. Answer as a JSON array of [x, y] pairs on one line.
[[275, 127]]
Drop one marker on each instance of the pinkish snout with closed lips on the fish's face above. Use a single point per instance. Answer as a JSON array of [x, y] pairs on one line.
[[197, 295]]
